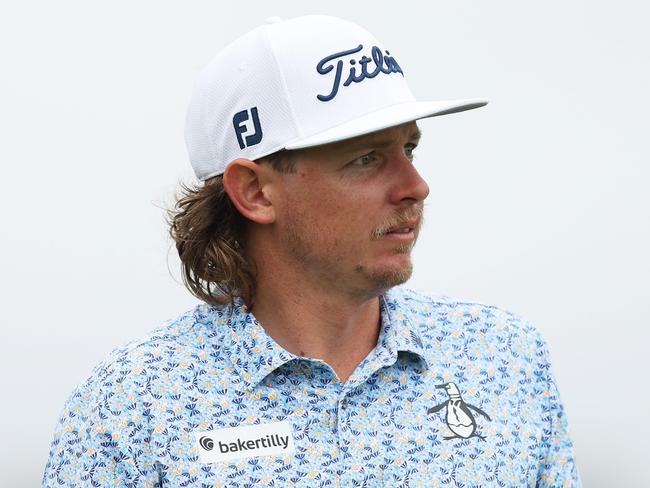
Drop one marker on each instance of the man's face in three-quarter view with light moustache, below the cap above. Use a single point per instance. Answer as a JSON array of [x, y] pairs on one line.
[[349, 215]]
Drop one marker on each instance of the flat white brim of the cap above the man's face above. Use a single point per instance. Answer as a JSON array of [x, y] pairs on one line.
[[384, 118]]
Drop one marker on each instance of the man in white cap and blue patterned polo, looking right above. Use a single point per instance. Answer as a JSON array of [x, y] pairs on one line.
[[307, 364]]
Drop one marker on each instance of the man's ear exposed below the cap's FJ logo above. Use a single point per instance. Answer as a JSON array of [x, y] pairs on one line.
[[247, 184]]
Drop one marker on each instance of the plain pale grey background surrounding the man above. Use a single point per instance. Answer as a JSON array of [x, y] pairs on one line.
[[539, 202]]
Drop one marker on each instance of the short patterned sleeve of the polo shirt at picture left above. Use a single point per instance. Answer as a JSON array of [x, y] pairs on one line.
[[88, 448]]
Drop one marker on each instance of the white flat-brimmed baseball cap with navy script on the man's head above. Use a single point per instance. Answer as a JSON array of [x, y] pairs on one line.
[[297, 83]]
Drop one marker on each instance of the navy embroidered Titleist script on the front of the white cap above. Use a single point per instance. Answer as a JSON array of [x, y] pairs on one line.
[[369, 67]]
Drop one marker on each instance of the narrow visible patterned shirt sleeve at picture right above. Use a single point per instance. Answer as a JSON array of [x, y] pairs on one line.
[[557, 468]]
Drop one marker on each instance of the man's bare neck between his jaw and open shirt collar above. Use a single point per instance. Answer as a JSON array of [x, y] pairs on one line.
[[316, 321]]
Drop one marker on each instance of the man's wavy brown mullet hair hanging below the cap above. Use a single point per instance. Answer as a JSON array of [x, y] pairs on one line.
[[210, 237]]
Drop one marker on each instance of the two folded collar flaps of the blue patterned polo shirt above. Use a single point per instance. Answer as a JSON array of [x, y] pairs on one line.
[[255, 355]]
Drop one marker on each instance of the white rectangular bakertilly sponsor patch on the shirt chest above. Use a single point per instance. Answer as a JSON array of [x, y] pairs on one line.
[[245, 441]]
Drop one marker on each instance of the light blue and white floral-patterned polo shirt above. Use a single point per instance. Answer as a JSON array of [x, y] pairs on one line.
[[134, 421]]
